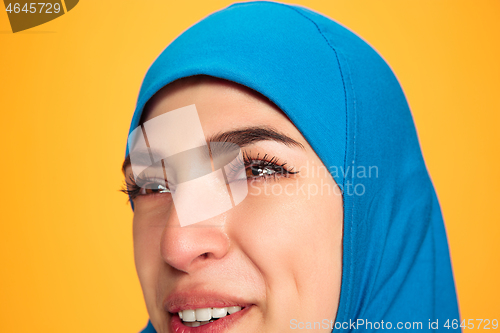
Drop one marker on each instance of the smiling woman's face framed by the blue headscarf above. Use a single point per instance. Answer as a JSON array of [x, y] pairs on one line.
[[277, 254]]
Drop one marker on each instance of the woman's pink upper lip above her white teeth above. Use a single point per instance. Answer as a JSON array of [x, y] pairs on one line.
[[190, 300]]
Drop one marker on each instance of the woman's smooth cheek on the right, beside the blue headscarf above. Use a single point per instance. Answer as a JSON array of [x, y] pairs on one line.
[[296, 243]]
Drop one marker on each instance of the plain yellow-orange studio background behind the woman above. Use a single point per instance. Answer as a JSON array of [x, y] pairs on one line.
[[68, 91]]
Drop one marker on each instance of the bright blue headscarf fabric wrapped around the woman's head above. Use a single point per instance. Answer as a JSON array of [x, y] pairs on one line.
[[349, 106]]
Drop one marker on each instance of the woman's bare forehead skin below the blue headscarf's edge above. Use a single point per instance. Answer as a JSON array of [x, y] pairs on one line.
[[222, 105]]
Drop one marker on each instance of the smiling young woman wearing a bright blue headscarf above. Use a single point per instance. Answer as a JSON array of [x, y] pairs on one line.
[[339, 226]]
